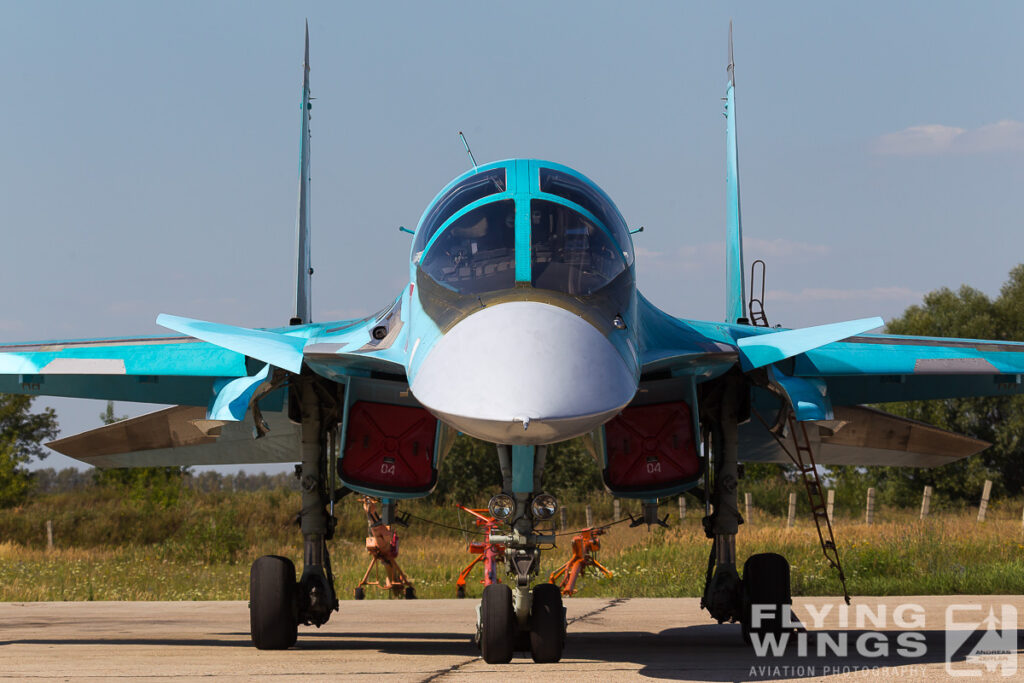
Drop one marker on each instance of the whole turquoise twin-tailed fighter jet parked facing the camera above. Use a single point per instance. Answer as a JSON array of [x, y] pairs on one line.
[[521, 326]]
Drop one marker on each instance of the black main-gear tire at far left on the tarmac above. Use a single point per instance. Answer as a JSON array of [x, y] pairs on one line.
[[273, 607]]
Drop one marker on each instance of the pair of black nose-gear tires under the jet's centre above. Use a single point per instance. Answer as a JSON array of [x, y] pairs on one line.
[[499, 635]]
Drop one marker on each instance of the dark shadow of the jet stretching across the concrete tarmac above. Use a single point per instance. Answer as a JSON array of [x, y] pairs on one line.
[[707, 653]]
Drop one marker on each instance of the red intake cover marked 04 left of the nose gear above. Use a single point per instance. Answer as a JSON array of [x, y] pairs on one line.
[[390, 448]]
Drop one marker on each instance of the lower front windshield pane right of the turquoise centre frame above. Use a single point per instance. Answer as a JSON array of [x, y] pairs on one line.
[[570, 253]]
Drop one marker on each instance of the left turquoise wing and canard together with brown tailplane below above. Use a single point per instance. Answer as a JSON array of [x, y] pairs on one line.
[[210, 375]]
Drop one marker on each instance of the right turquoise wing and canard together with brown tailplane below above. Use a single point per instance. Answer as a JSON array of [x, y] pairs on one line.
[[826, 380]]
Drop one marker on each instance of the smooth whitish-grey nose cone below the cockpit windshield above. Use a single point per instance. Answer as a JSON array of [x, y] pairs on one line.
[[525, 373]]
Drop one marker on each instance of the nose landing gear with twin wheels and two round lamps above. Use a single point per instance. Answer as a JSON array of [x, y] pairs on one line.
[[518, 618]]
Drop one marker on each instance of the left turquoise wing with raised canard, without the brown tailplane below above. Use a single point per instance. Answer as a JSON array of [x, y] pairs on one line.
[[191, 368]]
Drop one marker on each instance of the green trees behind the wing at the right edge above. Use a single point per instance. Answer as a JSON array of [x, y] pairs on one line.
[[999, 420]]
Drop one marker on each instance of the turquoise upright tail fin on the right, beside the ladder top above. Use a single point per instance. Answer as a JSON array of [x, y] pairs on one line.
[[736, 303]]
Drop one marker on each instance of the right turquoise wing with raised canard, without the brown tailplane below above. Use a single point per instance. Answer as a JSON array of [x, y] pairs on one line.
[[857, 369]]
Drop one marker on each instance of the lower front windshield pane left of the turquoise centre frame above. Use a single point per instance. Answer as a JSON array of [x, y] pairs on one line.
[[477, 253]]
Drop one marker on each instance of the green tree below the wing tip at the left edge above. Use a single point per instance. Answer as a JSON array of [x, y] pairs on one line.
[[22, 437]]
